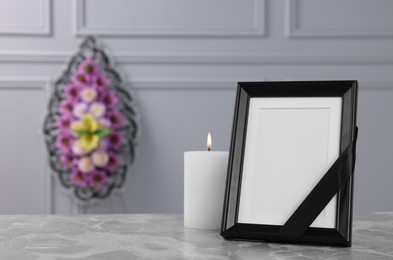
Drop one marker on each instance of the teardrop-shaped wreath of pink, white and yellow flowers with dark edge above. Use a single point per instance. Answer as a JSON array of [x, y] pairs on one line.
[[91, 127]]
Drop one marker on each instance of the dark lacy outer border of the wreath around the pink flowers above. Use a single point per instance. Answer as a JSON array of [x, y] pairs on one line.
[[90, 49]]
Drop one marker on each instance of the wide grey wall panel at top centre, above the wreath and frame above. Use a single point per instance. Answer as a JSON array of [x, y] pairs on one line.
[[170, 18]]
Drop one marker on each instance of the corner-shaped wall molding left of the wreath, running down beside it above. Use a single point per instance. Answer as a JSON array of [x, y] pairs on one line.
[[43, 85]]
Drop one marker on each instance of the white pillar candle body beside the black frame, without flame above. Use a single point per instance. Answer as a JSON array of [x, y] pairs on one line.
[[204, 187]]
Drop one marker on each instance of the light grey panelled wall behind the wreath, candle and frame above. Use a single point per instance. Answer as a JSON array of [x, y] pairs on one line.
[[182, 60]]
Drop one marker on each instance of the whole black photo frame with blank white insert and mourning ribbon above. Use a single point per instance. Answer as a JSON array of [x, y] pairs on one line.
[[291, 163]]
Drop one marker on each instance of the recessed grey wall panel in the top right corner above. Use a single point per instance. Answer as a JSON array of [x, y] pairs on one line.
[[339, 19]]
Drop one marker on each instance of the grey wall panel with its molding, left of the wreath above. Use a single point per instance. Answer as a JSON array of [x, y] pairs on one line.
[[24, 178]]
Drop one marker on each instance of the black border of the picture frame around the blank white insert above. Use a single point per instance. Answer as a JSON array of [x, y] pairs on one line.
[[341, 233]]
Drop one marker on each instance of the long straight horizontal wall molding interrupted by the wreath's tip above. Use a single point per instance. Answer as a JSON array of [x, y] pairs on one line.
[[213, 59]]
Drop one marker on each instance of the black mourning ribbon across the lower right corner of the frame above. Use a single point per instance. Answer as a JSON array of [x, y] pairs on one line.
[[334, 179]]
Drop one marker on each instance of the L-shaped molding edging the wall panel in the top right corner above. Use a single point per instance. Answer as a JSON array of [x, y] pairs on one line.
[[293, 30]]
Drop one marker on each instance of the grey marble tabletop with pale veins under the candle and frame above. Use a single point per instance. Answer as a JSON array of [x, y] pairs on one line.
[[117, 237]]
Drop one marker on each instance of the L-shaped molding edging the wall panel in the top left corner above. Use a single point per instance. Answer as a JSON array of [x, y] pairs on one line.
[[42, 28]]
